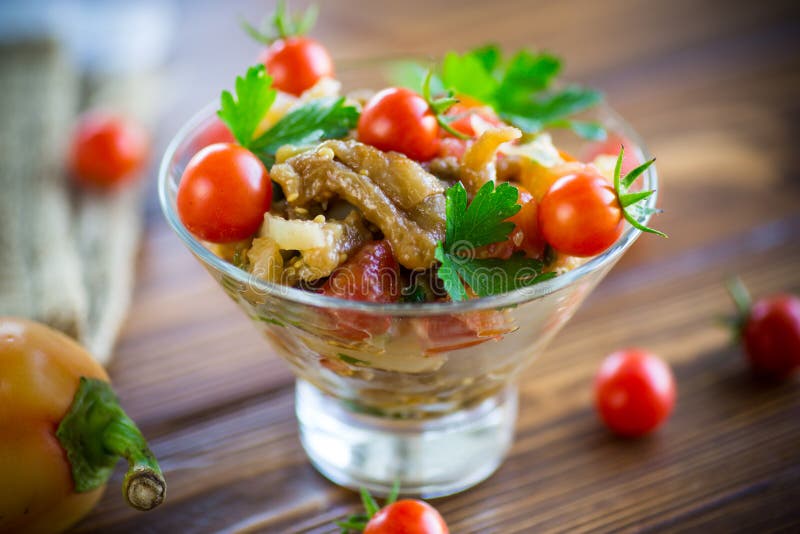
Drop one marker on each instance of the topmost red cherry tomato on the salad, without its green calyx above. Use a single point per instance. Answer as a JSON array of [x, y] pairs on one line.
[[296, 64]]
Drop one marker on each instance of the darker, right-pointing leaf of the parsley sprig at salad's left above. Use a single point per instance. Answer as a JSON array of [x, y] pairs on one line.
[[324, 118]]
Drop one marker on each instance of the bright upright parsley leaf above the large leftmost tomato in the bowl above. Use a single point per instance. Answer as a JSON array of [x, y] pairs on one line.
[[254, 96]]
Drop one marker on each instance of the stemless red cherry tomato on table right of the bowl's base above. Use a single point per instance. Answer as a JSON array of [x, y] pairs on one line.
[[634, 392]]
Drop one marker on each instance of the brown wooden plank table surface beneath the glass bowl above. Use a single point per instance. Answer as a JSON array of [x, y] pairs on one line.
[[713, 87]]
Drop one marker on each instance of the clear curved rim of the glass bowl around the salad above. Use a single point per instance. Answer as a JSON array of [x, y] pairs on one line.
[[299, 296]]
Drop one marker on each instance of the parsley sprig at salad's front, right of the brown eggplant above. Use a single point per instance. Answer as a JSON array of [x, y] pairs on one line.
[[470, 226]]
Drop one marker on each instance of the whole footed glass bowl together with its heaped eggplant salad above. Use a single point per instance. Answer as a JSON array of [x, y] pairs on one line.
[[407, 249]]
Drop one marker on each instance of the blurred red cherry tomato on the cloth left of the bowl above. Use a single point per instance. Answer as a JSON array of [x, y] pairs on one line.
[[107, 149]]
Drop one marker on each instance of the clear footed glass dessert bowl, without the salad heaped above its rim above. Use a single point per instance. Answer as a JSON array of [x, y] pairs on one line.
[[420, 393]]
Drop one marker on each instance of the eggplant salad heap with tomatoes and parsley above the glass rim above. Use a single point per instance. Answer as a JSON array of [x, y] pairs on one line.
[[446, 190]]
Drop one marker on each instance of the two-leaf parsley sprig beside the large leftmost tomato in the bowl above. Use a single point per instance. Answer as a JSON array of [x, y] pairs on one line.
[[316, 120]]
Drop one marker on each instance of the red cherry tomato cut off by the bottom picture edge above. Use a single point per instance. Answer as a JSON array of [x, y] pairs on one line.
[[407, 517]]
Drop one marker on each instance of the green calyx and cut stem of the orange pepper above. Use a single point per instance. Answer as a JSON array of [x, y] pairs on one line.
[[95, 433]]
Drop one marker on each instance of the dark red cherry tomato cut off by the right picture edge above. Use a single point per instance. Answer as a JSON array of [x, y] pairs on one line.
[[771, 335]]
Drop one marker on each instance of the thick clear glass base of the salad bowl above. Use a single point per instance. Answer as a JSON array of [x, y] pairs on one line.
[[430, 458]]
